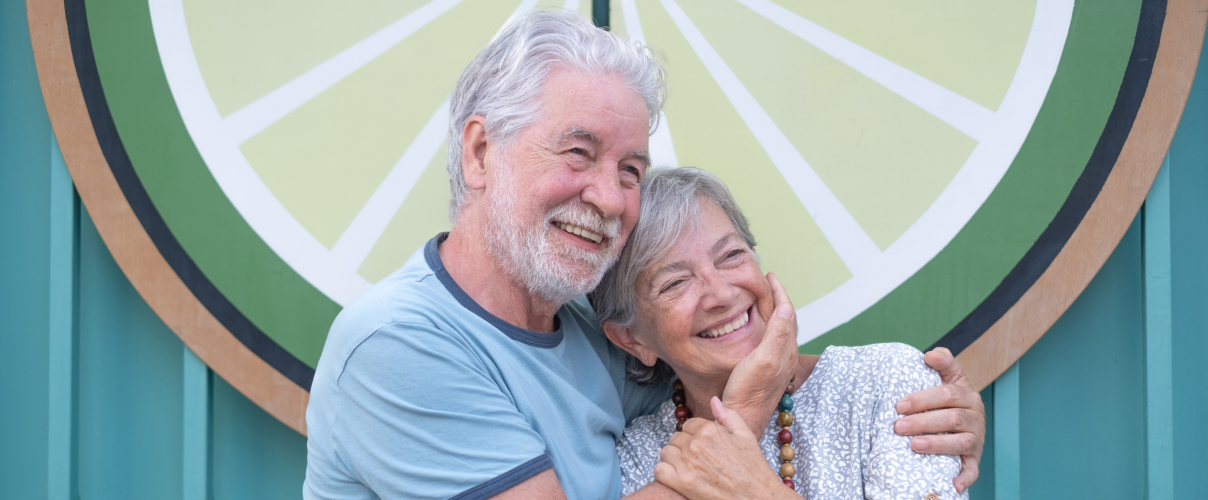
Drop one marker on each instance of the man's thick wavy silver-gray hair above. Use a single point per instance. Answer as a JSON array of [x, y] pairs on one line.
[[504, 83]]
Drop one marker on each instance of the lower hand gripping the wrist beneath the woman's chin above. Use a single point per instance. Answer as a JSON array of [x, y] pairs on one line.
[[719, 461]]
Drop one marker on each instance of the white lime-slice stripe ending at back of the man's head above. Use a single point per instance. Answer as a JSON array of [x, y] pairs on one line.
[[362, 236]]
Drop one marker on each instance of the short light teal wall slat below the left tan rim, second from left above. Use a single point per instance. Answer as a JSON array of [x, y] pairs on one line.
[[196, 474]]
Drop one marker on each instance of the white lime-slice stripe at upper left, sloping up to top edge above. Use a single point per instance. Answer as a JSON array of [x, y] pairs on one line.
[[262, 114]]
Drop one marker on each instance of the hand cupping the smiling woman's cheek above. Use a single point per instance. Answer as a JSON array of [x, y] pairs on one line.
[[759, 380]]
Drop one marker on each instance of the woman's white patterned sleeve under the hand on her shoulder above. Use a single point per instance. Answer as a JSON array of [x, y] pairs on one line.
[[893, 470]]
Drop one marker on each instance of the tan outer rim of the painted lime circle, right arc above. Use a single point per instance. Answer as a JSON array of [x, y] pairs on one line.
[[1114, 210]]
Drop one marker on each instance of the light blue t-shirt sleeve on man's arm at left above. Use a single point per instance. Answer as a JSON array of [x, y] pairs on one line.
[[421, 416]]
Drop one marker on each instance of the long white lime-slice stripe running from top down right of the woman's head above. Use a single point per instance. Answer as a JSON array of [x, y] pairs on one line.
[[853, 246]]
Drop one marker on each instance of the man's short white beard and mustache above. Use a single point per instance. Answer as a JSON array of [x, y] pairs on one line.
[[537, 258]]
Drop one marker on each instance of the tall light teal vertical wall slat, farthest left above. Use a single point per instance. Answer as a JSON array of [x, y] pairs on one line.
[[62, 335]]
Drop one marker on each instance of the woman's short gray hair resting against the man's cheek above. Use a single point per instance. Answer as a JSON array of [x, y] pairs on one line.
[[671, 207]]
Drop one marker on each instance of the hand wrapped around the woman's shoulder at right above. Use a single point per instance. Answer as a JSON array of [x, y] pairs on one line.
[[959, 411]]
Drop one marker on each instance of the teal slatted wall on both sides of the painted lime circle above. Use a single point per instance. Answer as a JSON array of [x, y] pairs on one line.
[[100, 400]]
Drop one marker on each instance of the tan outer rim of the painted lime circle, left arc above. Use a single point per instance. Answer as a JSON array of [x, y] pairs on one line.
[[130, 243]]
